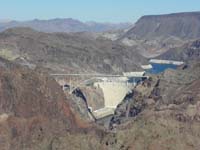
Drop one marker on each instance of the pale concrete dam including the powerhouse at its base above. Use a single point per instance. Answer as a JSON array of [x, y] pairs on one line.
[[115, 90]]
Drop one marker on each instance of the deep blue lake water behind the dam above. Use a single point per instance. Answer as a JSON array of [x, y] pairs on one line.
[[159, 68]]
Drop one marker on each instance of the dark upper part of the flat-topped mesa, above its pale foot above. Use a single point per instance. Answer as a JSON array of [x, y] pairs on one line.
[[181, 25]]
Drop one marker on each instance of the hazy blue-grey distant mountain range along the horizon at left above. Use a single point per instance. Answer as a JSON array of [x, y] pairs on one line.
[[64, 25]]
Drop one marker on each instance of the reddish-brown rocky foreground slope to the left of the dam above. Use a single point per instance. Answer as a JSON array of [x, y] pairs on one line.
[[35, 113]]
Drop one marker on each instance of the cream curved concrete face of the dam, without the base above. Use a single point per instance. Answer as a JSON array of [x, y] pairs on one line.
[[114, 92]]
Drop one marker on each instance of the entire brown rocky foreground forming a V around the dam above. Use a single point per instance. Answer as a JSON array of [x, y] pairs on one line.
[[162, 113]]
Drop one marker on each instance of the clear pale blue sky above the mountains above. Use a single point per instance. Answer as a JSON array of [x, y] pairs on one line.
[[92, 10]]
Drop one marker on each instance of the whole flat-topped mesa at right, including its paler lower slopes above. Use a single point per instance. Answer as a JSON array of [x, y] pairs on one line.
[[153, 35]]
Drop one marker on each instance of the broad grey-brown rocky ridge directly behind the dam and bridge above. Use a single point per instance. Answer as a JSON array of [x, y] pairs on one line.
[[67, 52]]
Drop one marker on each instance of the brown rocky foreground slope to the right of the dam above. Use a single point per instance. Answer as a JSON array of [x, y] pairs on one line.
[[161, 114]]
